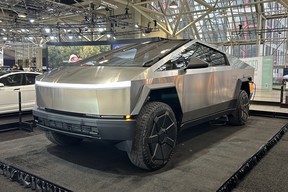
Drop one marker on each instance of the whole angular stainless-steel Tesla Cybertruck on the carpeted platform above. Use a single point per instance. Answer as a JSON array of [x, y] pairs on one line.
[[140, 96]]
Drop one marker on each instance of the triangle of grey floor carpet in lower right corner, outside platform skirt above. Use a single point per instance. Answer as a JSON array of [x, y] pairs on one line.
[[270, 174]]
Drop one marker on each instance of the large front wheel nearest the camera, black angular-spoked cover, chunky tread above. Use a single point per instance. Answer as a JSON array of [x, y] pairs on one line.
[[155, 137]]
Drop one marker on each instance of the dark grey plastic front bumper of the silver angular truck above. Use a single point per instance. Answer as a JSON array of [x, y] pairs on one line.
[[85, 127]]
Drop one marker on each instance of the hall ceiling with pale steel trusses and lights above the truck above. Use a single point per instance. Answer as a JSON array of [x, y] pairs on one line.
[[91, 20]]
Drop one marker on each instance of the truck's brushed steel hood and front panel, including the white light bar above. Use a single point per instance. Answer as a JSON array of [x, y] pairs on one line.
[[94, 91]]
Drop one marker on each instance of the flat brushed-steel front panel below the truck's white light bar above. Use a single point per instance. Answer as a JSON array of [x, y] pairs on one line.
[[91, 102]]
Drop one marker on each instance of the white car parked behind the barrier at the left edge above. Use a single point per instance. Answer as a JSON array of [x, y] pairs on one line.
[[11, 82]]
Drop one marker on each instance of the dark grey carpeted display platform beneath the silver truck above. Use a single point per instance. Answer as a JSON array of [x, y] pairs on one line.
[[205, 158]]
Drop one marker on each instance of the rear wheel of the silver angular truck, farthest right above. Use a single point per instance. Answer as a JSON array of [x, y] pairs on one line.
[[241, 114]]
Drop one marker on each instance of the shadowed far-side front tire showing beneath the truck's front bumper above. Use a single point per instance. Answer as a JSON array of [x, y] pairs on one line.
[[61, 139]]
